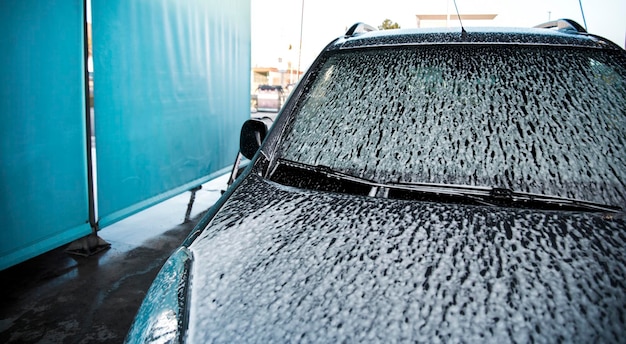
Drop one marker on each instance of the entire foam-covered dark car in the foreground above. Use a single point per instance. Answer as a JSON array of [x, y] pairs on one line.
[[420, 186]]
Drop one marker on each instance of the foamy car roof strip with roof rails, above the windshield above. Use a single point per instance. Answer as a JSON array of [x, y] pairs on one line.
[[563, 32]]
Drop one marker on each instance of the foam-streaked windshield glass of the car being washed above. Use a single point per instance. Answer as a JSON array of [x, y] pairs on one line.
[[548, 120]]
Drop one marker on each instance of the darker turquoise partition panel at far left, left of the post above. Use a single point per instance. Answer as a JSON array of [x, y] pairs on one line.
[[43, 190]]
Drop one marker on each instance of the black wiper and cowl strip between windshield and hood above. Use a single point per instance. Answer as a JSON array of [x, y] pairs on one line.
[[324, 178]]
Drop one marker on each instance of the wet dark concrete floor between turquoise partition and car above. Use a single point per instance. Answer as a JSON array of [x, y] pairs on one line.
[[62, 298]]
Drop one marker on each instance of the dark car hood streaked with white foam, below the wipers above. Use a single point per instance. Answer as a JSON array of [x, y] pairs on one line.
[[278, 264]]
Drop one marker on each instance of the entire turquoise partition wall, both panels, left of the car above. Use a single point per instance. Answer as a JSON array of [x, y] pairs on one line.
[[171, 92]]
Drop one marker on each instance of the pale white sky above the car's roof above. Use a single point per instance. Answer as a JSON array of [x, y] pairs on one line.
[[276, 24]]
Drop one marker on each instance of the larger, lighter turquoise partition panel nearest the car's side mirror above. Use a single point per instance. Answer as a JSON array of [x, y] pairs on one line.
[[171, 83]]
